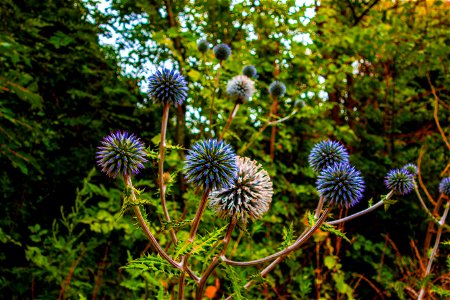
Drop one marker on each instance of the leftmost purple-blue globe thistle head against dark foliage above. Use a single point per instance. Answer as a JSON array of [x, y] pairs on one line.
[[121, 153]]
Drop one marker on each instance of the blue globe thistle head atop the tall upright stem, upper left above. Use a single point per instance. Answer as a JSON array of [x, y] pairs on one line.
[[167, 86]]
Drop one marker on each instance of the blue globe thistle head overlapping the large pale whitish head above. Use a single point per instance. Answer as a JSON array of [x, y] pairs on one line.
[[211, 164]]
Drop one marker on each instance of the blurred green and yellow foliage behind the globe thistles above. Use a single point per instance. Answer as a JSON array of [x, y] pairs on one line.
[[372, 74]]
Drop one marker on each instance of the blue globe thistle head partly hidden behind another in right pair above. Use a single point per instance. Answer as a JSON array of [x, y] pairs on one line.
[[327, 153]]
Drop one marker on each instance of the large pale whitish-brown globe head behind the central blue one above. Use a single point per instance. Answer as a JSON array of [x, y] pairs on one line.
[[249, 195]]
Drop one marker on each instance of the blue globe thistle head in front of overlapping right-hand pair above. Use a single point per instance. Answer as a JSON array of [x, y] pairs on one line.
[[341, 184]]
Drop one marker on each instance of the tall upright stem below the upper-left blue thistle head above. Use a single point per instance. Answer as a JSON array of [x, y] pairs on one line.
[[162, 185]]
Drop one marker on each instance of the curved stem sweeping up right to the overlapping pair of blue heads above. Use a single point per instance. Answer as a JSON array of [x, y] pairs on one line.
[[300, 241]]
